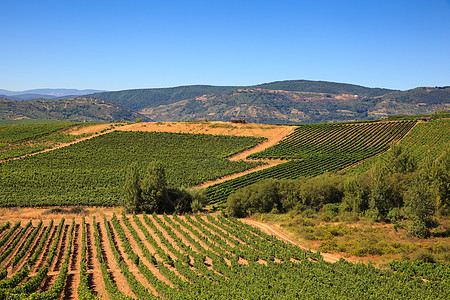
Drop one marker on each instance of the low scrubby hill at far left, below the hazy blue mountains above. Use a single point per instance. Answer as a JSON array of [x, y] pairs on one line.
[[78, 109]]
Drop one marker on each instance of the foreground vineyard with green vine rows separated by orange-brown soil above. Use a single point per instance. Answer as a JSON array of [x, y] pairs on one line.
[[190, 257]]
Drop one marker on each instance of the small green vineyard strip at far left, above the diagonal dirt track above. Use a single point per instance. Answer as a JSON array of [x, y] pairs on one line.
[[18, 140]]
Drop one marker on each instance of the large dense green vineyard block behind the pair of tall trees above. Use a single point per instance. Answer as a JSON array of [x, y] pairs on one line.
[[92, 172]]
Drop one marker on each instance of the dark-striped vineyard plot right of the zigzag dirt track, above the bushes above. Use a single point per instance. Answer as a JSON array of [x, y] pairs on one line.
[[316, 149]]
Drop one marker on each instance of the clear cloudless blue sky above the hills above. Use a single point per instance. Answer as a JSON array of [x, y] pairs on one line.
[[116, 45]]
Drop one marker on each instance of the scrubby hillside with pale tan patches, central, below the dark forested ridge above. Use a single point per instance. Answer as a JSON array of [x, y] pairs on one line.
[[266, 106]]
